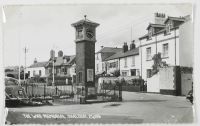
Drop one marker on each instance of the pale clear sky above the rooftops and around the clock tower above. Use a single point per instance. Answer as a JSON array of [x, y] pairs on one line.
[[41, 28]]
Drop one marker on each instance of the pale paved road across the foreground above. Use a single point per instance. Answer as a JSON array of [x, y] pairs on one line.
[[135, 108]]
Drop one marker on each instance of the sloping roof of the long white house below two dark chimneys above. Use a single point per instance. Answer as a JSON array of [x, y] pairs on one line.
[[121, 54]]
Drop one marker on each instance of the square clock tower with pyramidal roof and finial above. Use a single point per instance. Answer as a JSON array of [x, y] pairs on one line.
[[85, 38]]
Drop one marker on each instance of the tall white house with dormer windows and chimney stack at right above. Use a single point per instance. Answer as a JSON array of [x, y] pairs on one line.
[[172, 37]]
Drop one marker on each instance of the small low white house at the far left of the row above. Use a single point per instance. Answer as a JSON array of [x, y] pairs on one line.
[[37, 69]]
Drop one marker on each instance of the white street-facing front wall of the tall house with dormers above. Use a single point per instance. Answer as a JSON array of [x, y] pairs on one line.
[[161, 39]]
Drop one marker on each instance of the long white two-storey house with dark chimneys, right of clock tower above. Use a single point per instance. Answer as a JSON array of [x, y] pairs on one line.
[[127, 61]]
